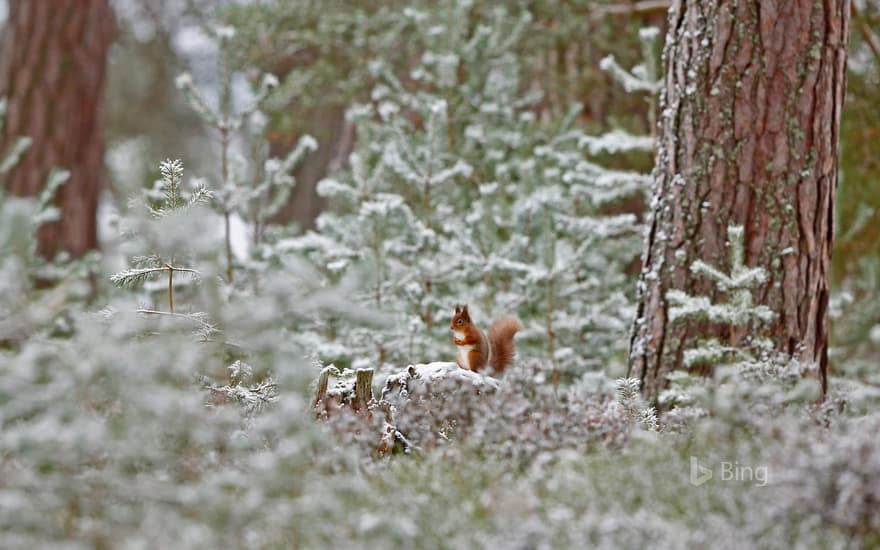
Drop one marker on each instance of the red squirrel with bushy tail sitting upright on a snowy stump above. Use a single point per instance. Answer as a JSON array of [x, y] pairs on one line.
[[475, 350]]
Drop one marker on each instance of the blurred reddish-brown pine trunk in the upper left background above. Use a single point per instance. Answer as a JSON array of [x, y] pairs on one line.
[[52, 70]]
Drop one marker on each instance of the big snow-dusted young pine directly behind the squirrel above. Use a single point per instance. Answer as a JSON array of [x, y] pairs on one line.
[[457, 193]]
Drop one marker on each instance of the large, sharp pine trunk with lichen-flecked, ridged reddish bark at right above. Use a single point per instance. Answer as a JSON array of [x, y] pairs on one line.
[[748, 135]]
